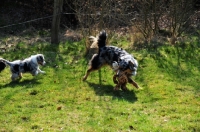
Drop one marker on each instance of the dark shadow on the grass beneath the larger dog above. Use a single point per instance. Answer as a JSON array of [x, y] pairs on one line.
[[108, 90]]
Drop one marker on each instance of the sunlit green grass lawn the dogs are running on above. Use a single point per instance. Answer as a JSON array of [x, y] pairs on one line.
[[168, 100]]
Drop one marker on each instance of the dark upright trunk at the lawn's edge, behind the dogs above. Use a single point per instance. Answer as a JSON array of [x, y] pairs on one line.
[[58, 4]]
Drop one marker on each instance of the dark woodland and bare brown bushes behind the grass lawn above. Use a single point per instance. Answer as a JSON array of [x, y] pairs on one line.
[[152, 18]]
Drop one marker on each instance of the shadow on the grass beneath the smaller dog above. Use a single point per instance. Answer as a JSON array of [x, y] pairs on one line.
[[26, 83]]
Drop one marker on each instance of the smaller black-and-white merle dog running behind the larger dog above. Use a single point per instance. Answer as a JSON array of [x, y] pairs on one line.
[[30, 65]]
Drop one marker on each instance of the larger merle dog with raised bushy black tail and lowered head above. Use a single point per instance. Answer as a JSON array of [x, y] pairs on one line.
[[108, 55]]
